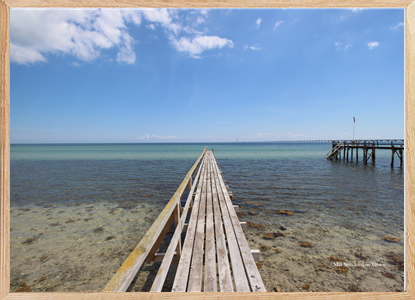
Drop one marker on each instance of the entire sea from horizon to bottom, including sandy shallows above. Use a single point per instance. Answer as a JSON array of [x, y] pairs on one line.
[[78, 210]]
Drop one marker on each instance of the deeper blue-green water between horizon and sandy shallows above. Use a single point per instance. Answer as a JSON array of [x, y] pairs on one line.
[[285, 175]]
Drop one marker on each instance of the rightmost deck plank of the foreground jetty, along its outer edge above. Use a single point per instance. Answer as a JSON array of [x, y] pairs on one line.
[[252, 272]]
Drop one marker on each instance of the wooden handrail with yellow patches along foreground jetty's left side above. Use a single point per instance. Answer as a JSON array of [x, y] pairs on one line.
[[148, 246]]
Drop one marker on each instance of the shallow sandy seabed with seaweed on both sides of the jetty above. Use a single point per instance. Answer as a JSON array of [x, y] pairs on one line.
[[79, 248]]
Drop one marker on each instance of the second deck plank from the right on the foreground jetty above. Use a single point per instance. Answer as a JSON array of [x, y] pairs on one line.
[[238, 270]]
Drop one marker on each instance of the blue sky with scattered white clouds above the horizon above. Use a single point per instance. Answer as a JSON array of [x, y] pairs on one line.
[[217, 75]]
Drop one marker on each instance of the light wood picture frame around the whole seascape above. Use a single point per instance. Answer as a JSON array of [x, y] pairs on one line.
[[5, 6]]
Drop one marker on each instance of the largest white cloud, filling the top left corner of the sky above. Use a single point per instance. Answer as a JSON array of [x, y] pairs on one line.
[[83, 33]]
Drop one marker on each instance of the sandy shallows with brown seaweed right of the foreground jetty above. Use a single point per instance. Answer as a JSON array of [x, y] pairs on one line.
[[319, 259]]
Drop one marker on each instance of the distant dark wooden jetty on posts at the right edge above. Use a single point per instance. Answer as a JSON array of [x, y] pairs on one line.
[[368, 147]]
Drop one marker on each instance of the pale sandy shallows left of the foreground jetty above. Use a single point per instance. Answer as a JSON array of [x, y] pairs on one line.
[[73, 248]]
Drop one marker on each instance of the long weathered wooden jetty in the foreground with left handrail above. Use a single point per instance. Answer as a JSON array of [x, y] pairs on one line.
[[214, 256]]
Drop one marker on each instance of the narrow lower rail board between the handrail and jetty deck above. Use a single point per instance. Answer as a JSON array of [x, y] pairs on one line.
[[170, 253]]
